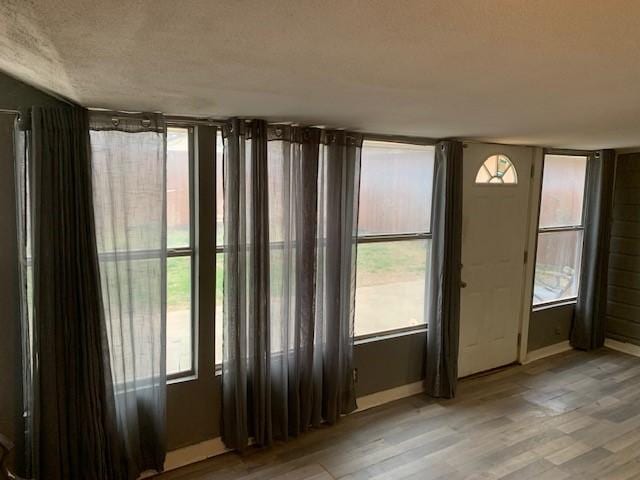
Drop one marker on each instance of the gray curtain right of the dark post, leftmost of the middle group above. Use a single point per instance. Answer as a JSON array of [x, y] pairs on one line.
[[246, 376]]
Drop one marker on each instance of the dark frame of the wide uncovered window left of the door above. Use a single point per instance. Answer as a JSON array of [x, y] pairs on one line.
[[397, 237]]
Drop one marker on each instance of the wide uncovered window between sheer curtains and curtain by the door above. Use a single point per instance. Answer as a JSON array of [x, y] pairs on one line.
[[394, 237]]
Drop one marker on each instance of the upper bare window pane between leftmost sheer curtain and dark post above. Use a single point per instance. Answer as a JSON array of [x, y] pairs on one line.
[[178, 218]]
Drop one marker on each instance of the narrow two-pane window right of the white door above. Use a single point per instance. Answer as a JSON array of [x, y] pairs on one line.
[[559, 253]]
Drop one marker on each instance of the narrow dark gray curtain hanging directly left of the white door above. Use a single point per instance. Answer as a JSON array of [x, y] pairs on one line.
[[443, 307]]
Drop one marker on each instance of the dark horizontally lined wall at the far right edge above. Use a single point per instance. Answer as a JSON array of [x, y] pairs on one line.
[[623, 303]]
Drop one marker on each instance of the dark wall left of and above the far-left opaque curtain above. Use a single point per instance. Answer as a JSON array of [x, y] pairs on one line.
[[13, 95]]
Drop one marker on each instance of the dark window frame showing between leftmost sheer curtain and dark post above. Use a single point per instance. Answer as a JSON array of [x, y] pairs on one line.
[[188, 252]]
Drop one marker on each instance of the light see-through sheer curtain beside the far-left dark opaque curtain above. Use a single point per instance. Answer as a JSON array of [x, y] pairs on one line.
[[129, 197]]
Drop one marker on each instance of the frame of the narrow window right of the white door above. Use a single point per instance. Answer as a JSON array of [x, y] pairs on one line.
[[563, 228]]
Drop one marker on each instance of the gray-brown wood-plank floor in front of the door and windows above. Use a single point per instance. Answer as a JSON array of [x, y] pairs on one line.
[[572, 416]]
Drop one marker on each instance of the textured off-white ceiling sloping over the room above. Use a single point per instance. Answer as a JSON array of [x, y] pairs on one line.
[[563, 73]]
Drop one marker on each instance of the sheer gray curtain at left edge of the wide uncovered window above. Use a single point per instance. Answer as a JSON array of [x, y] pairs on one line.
[[338, 195]]
